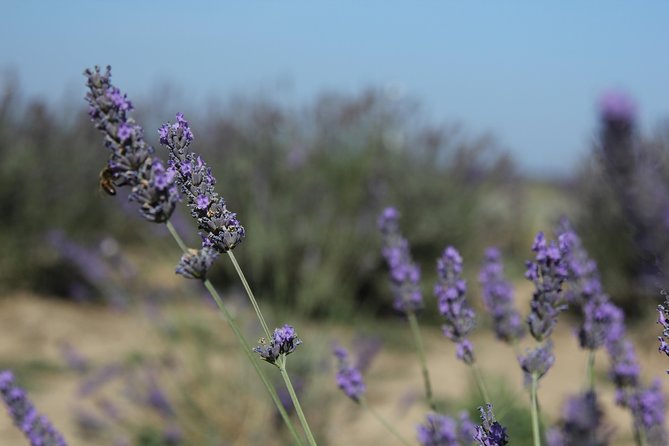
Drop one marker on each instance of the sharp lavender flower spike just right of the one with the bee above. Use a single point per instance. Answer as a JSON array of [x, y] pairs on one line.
[[219, 228]]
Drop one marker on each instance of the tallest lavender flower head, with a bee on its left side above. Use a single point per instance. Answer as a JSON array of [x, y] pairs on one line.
[[131, 160]]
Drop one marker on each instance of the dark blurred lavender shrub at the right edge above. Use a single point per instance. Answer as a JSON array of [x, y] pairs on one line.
[[623, 209]]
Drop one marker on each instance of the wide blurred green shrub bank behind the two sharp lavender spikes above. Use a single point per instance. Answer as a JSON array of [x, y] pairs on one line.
[[306, 183]]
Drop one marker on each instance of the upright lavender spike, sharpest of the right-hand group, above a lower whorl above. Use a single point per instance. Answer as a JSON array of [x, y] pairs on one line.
[[547, 271]]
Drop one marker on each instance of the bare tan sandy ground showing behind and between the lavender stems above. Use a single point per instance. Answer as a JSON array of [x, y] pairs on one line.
[[34, 329]]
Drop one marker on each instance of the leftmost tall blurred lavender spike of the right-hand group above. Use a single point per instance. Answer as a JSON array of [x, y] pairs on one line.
[[404, 273]]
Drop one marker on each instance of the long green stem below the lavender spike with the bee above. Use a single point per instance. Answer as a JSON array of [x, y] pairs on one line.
[[242, 341]]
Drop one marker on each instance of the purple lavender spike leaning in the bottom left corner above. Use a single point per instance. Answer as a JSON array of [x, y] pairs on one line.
[[36, 427]]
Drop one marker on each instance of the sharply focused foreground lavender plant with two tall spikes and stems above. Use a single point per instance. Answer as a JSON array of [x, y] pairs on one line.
[[133, 163]]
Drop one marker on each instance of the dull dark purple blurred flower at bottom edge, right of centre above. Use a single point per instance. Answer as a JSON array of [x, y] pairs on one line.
[[582, 423]]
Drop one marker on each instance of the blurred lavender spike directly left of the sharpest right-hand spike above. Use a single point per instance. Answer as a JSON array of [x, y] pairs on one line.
[[498, 298]]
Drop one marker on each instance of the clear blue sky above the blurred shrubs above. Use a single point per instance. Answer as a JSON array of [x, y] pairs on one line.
[[528, 72]]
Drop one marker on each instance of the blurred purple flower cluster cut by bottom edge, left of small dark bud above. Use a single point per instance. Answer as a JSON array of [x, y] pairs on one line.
[[441, 430]]
